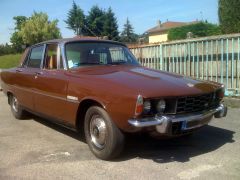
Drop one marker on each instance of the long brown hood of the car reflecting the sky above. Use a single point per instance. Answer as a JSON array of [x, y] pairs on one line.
[[144, 81]]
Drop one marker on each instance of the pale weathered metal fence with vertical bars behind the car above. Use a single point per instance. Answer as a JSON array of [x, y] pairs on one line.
[[215, 58]]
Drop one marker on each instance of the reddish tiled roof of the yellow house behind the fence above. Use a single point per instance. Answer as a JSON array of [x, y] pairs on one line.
[[168, 25]]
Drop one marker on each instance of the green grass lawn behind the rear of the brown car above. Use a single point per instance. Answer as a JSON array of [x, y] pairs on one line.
[[9, 61]]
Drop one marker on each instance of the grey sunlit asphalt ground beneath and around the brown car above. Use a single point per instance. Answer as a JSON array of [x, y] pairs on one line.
[[37, 149]]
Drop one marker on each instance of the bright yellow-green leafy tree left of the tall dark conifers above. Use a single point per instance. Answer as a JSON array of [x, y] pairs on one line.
[[39, 28]]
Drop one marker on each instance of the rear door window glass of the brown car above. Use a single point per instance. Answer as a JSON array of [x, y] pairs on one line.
[[35, 57]]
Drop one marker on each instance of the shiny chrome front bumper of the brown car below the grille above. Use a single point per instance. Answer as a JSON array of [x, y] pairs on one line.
[[158, 120]]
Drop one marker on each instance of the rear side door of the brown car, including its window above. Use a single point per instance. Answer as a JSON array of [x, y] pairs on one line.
[[24, 76]]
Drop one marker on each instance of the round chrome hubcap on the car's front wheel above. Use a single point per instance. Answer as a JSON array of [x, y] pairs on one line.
[[98, 131]]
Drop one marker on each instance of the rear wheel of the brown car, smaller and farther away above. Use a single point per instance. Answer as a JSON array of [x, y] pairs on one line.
[[16, 108]]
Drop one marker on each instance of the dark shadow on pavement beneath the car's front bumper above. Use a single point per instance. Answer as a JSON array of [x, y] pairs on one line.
[[179, 149]]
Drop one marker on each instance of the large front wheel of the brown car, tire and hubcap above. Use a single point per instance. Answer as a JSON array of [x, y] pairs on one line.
[[104, 138]]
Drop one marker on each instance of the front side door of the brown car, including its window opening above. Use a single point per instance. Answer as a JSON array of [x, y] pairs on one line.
[[51, 85]]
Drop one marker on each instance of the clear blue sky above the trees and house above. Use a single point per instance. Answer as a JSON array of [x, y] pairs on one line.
[[143, 14]]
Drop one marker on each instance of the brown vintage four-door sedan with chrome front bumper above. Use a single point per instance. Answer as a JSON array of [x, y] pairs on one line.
[[98, 86]]
